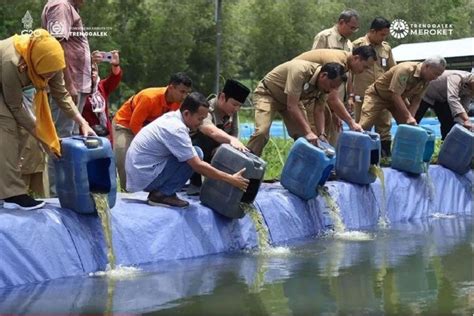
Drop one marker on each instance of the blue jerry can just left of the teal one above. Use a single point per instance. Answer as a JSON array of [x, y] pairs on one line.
[[355, 153]]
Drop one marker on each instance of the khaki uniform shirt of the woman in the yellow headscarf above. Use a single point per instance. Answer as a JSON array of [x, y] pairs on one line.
[[12, 82]]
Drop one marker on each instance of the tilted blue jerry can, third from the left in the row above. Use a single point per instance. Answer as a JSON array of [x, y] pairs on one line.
[[307, 167]]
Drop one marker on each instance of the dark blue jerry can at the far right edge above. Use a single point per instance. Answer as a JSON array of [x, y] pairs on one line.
[[457, 151]]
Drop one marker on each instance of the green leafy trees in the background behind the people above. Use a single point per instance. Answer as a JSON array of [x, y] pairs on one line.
[[159, 37]]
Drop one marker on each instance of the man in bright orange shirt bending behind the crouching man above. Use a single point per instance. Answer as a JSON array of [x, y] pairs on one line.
[[143, 108]]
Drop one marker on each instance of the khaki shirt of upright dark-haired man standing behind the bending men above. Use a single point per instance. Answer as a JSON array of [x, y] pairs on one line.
[[384, 62]]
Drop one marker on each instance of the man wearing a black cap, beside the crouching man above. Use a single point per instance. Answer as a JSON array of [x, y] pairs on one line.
[[220, 127]]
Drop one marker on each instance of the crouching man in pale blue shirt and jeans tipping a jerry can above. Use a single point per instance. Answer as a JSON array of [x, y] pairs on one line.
[[161, 157]]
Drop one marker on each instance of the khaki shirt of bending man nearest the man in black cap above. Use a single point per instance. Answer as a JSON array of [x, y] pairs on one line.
[[297, 78]]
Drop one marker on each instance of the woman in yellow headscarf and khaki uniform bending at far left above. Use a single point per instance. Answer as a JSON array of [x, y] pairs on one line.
[[38, 60]]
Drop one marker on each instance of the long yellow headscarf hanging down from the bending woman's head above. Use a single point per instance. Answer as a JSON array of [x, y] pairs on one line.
[[42, 54]]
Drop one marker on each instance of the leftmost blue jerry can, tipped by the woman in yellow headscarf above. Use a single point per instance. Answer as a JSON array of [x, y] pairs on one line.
[[87, 165]]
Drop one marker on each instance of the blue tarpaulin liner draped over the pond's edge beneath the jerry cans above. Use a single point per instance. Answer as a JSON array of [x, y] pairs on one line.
[[53, 243]]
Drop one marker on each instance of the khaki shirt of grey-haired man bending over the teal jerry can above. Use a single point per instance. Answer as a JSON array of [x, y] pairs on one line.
[[403, 79]]
